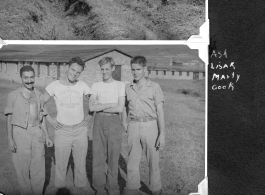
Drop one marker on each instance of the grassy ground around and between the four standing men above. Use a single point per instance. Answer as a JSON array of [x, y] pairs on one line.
[[181, 161]]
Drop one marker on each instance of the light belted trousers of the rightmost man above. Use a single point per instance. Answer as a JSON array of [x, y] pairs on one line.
[[142, 136]]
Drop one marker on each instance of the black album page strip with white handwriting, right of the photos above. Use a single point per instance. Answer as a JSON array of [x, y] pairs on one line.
[[236, 119]]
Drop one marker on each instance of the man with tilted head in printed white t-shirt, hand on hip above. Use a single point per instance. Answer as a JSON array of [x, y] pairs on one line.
[[70, 123]]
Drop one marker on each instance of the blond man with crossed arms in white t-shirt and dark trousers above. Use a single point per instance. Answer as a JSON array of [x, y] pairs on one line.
[[107, 100]]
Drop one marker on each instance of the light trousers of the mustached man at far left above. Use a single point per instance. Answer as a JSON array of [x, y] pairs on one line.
[[29, 160]]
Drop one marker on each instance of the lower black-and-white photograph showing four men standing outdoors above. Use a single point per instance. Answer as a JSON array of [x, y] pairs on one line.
[[101, 119]]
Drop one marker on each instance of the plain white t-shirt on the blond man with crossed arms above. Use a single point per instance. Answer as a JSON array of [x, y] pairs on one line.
[[108, 92]]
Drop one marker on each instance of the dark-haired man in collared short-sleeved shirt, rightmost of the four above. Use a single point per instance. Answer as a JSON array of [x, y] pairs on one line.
[[146, 127]]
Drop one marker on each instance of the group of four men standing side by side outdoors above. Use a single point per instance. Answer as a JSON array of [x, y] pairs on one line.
[[142, 118]]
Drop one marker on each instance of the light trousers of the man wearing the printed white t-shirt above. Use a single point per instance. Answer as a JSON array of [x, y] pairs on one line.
[[65, 141]]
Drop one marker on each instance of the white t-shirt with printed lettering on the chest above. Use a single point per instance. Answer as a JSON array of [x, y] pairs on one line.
[[69, 101]]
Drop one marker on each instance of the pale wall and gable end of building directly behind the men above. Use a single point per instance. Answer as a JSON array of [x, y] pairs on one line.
[[47, 72]]
